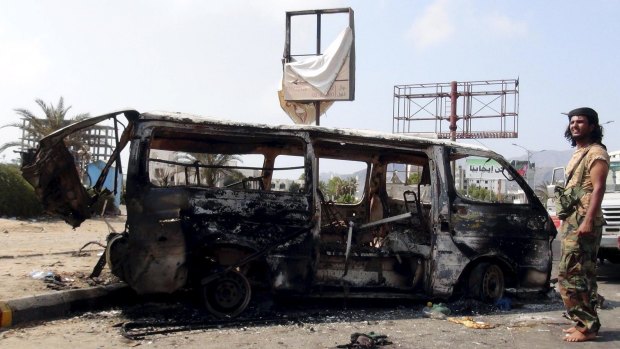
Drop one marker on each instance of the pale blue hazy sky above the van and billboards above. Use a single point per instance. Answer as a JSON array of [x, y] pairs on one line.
[[224, 58]]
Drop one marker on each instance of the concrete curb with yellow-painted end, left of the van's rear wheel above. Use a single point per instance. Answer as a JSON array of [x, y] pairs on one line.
[[58, 304]]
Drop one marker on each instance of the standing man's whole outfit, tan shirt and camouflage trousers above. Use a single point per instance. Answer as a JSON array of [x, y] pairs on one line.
[[577, 269]]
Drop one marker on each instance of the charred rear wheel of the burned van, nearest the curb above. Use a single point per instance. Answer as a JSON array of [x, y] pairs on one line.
[[228, 295]]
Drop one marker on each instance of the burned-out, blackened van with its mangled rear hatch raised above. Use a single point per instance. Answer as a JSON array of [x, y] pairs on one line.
[[230, 209]]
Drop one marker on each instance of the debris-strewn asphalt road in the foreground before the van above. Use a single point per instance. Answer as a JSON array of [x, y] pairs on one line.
[[532, 325]]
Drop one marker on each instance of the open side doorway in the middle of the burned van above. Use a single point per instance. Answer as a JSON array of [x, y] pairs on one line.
[[378, 243]]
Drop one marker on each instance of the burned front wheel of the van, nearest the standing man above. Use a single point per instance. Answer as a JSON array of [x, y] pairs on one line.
[[486, 282]]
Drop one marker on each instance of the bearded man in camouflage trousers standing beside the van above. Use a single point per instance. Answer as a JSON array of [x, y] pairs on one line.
[[581, 231]]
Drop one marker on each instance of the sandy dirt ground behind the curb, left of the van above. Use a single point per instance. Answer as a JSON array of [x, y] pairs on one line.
[[40, 256]]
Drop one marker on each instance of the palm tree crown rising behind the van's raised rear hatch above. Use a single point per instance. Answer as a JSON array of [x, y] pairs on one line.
[[55, 117]]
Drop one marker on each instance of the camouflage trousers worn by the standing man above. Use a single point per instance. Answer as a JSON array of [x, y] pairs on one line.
[[577, 273]]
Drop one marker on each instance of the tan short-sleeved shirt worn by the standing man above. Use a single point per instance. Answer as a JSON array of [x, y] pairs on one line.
[[595, 152]]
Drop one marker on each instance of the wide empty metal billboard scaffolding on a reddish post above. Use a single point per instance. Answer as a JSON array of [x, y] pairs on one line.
[[458, 110]]
